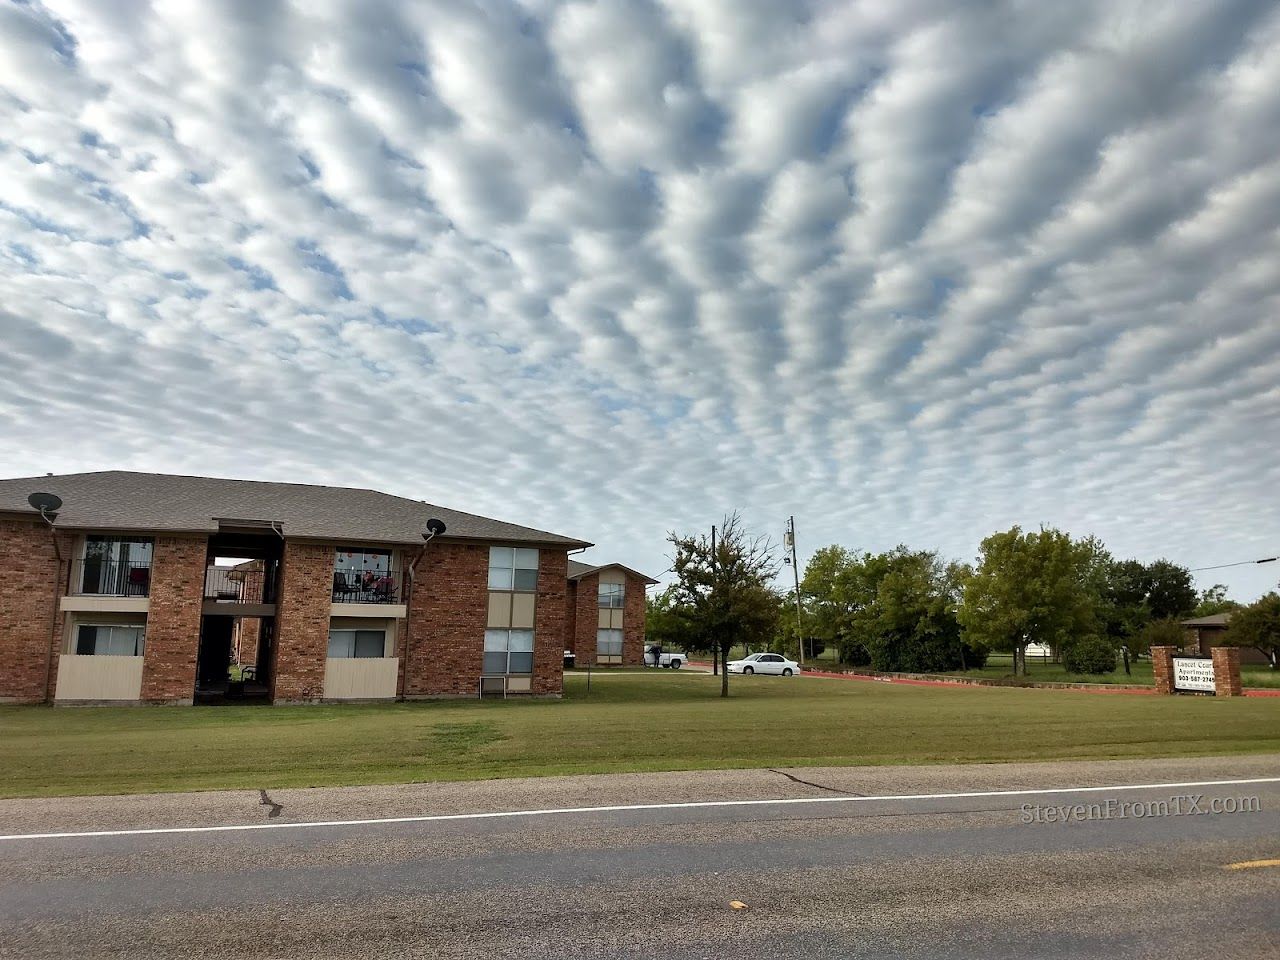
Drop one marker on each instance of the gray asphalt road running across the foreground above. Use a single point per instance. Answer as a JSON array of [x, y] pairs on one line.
[[848, 877]]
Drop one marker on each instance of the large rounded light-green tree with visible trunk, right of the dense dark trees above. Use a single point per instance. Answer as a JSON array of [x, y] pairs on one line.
[[1030, 588]]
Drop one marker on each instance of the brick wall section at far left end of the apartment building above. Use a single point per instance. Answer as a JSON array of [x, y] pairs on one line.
[[33, 583]]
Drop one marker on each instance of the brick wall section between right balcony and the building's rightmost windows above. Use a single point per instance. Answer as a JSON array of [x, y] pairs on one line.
[[446, 623]]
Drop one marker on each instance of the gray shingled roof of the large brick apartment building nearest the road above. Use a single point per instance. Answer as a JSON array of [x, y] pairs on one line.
[[118, 500]]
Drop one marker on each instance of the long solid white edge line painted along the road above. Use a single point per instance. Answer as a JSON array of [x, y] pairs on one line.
[[623, 808]]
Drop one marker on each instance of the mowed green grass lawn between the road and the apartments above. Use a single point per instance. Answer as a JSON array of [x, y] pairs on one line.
[[668, 721]]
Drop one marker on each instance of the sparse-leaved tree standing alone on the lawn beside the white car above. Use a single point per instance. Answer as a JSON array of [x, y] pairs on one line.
[[726, 588]]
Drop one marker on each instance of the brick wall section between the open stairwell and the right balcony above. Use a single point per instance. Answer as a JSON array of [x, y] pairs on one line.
[[303, 623]]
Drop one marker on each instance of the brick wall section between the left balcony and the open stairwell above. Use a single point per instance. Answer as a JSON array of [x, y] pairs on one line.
[[173, 619]]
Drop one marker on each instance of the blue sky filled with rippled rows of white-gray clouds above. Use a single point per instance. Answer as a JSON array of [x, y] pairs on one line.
[[913, 272]]
